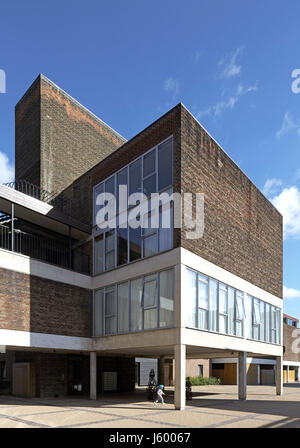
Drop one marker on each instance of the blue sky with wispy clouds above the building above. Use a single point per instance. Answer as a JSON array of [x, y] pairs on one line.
[[229, 62]]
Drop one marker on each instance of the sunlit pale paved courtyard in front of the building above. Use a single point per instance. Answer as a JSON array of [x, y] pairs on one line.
[[211, 407]]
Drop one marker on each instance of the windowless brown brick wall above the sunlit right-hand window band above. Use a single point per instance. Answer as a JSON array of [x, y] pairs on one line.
[[243, 231]]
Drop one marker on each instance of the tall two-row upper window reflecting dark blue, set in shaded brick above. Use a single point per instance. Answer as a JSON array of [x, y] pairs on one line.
[[150, 173]]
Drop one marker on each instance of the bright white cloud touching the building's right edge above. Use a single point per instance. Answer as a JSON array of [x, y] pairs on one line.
[[288, 204]]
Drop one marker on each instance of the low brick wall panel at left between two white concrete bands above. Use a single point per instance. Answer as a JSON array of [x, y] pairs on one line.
[[30, 303]]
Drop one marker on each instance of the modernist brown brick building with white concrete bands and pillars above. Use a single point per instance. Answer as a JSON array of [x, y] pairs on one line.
[[80, 301]]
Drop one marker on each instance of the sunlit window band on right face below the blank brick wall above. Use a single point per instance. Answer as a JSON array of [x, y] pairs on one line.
[[214, 306]]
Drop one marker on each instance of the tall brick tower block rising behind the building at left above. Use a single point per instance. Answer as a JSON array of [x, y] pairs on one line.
[[57, 139]]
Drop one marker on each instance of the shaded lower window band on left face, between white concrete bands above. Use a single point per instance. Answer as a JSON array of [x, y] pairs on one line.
[[140, 304]]
